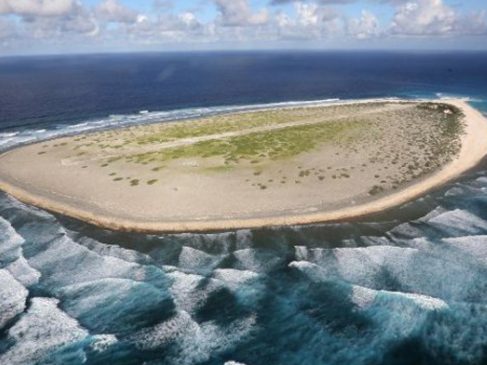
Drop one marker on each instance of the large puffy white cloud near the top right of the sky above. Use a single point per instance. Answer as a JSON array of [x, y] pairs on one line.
[[424, 17]]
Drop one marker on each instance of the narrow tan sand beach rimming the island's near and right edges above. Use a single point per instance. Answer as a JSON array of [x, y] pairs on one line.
[[473, 150]]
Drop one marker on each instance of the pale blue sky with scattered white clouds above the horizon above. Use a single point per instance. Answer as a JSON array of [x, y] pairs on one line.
[[97, 26]]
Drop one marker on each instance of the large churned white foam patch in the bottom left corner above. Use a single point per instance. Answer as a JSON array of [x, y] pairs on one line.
[[42, 329]]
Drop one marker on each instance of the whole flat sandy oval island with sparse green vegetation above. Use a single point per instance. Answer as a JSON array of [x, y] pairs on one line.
[[266, 167]]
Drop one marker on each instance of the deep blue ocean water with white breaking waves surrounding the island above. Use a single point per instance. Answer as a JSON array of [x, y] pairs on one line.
[[406, 287]]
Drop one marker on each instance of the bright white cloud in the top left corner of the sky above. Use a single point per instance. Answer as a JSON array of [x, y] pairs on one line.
[[37, 7]]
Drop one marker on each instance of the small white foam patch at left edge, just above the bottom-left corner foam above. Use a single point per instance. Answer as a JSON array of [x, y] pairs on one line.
[[12, 297]]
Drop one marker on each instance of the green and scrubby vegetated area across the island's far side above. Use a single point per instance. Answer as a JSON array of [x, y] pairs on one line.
[[388, 144]]
